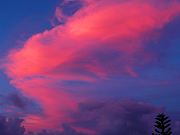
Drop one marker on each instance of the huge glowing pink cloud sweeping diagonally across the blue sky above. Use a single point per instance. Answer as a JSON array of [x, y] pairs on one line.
[[79, 50]]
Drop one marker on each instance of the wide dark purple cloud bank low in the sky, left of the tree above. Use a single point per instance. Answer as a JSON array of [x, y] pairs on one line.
[[115, 117]]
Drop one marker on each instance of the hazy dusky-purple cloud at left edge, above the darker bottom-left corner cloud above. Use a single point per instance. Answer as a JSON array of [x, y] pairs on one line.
[[18, 105]]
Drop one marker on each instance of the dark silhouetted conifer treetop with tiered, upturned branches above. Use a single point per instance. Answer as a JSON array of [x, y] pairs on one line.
[[162, 125]]
